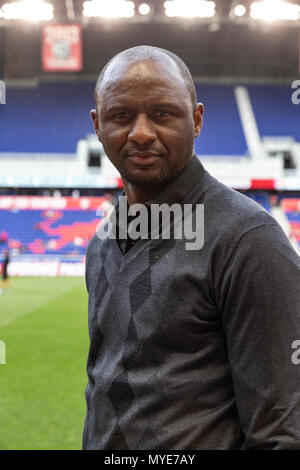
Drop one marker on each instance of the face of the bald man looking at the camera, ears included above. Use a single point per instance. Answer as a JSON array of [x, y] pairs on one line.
[[145, 120]]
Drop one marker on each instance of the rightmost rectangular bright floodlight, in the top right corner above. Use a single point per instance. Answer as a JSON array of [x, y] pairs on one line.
[[274, 10]]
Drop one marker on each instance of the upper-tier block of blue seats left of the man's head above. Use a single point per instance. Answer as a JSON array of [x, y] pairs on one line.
[[48, 119]]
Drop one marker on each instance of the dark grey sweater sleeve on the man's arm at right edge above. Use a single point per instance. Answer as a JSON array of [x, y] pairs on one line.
[[260, 306]]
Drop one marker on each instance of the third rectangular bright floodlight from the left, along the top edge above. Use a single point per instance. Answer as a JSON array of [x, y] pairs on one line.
[[190, 8]]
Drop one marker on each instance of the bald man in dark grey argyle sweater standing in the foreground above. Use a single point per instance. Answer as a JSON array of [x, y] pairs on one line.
[[190, 349]]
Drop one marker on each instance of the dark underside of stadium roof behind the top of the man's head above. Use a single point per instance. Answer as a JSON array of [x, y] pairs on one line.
[[222, 48]]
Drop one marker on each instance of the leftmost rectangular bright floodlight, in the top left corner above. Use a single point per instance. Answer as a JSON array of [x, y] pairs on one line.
[[30, 10]]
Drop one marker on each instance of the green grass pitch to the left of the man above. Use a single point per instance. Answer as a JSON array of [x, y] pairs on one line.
[[43, 322]]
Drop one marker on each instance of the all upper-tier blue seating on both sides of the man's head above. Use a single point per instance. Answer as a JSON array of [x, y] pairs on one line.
[[52, 117]]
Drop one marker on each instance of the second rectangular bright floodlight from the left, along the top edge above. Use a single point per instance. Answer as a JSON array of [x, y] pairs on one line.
[[108, 8]]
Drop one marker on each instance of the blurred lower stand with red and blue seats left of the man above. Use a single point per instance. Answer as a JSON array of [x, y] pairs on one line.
[[50, 231]]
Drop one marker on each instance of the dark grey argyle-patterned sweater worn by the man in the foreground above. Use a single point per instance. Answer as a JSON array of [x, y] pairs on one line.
[[193, 349]]
